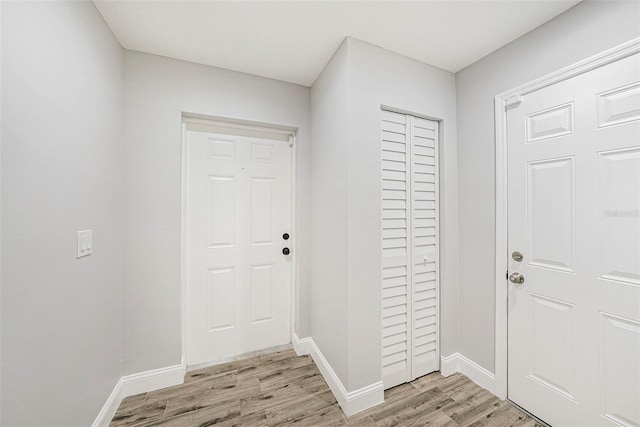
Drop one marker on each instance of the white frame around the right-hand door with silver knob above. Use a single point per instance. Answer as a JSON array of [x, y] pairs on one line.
[[504, 101]]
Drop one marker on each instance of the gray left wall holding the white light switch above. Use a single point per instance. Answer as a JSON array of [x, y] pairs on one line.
[[61, 172]]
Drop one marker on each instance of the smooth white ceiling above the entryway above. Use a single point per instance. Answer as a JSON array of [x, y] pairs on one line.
[[293, 40]]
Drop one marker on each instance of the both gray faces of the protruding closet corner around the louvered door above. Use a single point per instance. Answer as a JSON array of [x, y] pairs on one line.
[[346, 222]]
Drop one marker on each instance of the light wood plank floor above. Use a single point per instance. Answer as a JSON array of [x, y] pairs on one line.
[[283, 389]]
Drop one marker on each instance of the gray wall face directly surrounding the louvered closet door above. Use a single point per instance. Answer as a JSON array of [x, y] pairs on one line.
[[380, 77]]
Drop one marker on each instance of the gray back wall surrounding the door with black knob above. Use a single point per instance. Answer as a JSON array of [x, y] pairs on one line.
[[157, 91]]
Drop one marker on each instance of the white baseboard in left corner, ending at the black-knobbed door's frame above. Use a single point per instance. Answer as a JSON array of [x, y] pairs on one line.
[[142, 382]]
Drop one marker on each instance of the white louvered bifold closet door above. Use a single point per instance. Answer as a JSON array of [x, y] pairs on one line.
[[410, 258]]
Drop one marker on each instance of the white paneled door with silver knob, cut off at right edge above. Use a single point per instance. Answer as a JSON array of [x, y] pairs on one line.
[[574, 214]]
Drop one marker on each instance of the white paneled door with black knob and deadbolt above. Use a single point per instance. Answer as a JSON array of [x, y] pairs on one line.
[[238, 210]]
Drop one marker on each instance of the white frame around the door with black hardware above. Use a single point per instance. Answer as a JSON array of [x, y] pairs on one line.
[[226, 125]]
